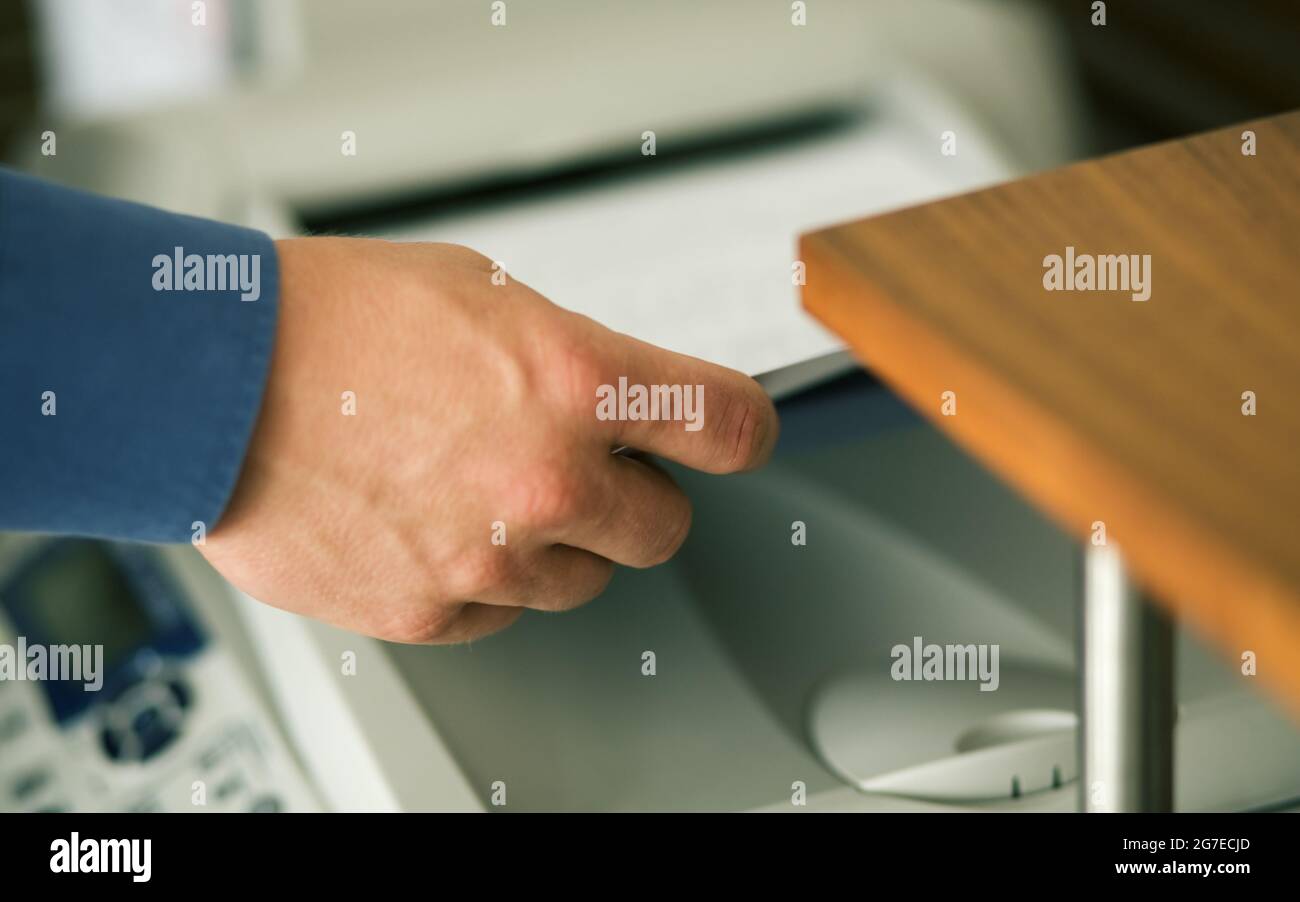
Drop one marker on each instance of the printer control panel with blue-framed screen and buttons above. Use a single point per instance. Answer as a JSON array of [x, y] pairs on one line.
[[118, 695]]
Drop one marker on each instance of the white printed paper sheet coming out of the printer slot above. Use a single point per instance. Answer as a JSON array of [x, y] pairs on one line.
[[699, 258]]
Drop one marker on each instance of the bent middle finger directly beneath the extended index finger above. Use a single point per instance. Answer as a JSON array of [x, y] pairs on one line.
[[644, 515]]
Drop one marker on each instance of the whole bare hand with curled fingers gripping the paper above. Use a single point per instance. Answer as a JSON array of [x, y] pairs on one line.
[[474, 422]]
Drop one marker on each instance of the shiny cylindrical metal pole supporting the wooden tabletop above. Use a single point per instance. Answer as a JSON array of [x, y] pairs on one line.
[[1126, 665]]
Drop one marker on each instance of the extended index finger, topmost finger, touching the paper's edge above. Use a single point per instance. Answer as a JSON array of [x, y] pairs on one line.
[[701, 415]]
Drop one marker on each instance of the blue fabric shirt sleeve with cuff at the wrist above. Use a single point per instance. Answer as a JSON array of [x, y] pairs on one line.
[[129, 388]]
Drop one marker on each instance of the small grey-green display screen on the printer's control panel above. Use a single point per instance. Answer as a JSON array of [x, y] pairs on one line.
[[83, 597]]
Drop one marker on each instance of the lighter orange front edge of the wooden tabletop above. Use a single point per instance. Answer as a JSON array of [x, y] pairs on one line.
[[889, 340]]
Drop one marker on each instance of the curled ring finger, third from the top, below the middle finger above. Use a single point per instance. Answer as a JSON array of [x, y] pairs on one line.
[[553, 578]]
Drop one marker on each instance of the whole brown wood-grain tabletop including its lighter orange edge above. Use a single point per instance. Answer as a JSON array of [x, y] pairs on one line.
[[1102, 409]]
